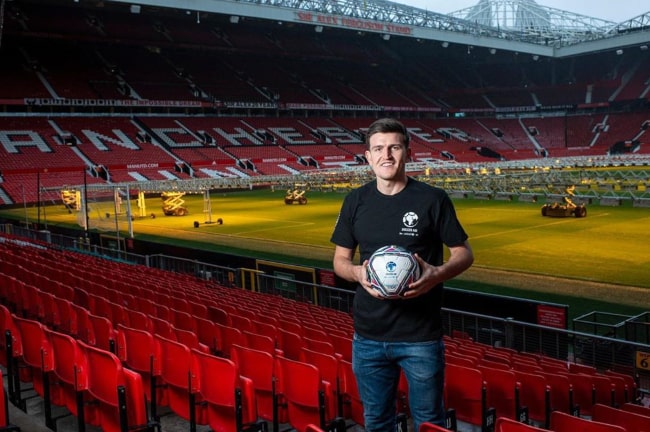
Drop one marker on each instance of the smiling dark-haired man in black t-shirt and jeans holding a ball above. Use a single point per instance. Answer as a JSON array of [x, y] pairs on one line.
[[406, 333]]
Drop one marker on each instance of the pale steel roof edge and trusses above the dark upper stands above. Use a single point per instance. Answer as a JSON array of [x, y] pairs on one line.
[[510, 25]]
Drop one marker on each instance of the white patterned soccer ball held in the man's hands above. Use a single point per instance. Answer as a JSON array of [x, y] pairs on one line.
[[391, 269]]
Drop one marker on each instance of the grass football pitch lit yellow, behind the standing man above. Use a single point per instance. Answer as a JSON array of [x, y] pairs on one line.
[[610, 246]]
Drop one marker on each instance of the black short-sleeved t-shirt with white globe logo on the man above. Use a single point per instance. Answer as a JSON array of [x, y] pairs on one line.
[[420, 218]]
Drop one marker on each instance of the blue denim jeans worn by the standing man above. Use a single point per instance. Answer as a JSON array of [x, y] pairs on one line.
[[377, 368]]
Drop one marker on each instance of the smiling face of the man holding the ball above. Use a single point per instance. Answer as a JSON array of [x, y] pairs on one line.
[[387, 156]]
